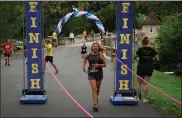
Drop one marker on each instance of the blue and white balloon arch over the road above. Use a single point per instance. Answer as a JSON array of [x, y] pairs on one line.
[[78, 13]]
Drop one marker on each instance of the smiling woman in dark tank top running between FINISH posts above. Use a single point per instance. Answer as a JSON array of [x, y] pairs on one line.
[[96, 62]]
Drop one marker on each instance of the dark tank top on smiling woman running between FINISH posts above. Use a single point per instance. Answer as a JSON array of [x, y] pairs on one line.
[[95, 59]]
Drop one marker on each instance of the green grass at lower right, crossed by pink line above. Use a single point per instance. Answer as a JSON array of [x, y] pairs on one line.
[[171, 85]]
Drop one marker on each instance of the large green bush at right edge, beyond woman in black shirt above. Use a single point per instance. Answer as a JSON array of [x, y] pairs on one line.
[[171, 42]]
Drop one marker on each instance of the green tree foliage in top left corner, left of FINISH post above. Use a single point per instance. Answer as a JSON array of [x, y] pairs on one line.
[[12, 20]]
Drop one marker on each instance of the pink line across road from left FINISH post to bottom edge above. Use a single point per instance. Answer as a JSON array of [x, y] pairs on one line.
[[82, 108]]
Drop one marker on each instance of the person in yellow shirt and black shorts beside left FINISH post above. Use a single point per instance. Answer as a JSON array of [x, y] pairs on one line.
[[49, 56]]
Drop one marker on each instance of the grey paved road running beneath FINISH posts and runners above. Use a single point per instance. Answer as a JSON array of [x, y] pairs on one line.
[[59, 103]]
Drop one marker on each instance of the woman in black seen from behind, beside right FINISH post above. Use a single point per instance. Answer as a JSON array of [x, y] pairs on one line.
[[145, 67]]
